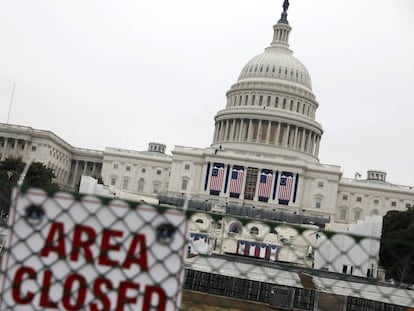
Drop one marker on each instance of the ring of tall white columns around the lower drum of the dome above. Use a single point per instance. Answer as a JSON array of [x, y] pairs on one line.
[[267, 132]]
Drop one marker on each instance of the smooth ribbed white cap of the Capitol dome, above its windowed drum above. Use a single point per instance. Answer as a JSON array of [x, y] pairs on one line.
[[277, 63]]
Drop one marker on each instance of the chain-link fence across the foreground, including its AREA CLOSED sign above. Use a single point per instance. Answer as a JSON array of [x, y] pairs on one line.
[[70, 252]]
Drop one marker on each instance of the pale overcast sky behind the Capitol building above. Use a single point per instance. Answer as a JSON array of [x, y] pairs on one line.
[[123, 73]]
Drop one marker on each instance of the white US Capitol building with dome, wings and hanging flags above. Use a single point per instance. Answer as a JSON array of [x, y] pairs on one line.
[[263, 157]]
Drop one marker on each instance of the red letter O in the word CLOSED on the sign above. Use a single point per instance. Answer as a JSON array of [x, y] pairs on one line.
[[68, 291]]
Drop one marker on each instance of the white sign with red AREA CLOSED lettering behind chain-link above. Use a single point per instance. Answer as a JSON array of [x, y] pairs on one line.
[[81, 254]]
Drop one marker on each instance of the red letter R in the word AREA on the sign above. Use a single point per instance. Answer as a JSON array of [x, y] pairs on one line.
[[78, 243]]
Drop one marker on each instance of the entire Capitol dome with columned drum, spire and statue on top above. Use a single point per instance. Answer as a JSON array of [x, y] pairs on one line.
[[271, 108]]
